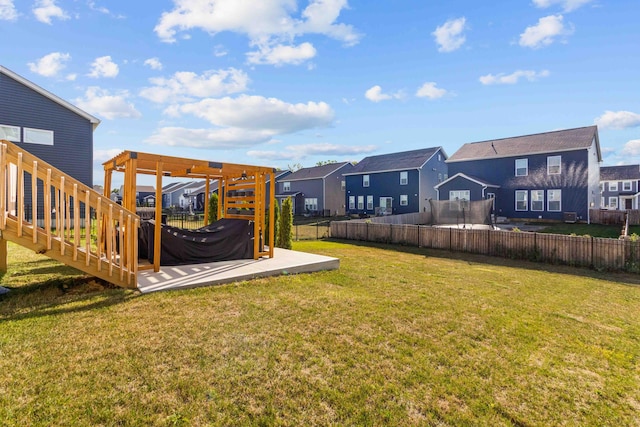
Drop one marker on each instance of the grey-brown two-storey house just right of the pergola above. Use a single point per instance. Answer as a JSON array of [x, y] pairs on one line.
[[317, 190]]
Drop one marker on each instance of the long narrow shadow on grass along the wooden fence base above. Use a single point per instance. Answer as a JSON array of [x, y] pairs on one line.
[[624, 278]]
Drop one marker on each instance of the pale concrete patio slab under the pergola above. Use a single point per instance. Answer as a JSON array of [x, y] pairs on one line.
[[215, 273]]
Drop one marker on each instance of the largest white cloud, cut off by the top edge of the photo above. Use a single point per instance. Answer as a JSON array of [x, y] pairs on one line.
[[269, 24]]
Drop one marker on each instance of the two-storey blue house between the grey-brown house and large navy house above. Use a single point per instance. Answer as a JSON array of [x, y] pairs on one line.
[[395, 183]]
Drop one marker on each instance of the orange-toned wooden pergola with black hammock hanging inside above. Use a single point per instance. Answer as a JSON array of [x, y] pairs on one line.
[[241, 188]]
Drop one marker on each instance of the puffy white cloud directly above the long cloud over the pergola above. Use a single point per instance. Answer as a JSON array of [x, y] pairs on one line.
[[185, 85]]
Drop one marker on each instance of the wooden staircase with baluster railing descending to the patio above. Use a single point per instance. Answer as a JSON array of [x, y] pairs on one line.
[[43, 209]]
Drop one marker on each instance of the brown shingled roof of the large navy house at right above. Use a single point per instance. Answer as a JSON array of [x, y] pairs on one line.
[[547, 142]]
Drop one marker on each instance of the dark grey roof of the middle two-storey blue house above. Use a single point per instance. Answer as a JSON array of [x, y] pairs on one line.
[[414, 159]]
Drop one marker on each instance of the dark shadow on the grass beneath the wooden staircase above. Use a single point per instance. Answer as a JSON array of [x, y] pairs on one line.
[[61, 295]]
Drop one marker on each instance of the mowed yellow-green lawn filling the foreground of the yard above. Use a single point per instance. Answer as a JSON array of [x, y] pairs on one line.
[[396, 336]]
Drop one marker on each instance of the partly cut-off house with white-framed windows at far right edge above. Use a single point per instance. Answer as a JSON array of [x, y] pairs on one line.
[[619, 187]]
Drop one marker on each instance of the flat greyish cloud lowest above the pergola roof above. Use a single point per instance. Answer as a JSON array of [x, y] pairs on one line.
[[215, 138]]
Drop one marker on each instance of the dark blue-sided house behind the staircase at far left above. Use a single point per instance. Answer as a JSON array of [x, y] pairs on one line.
[[46, 126]]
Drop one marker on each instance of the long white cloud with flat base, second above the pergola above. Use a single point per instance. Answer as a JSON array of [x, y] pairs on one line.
[[258, 113]]
